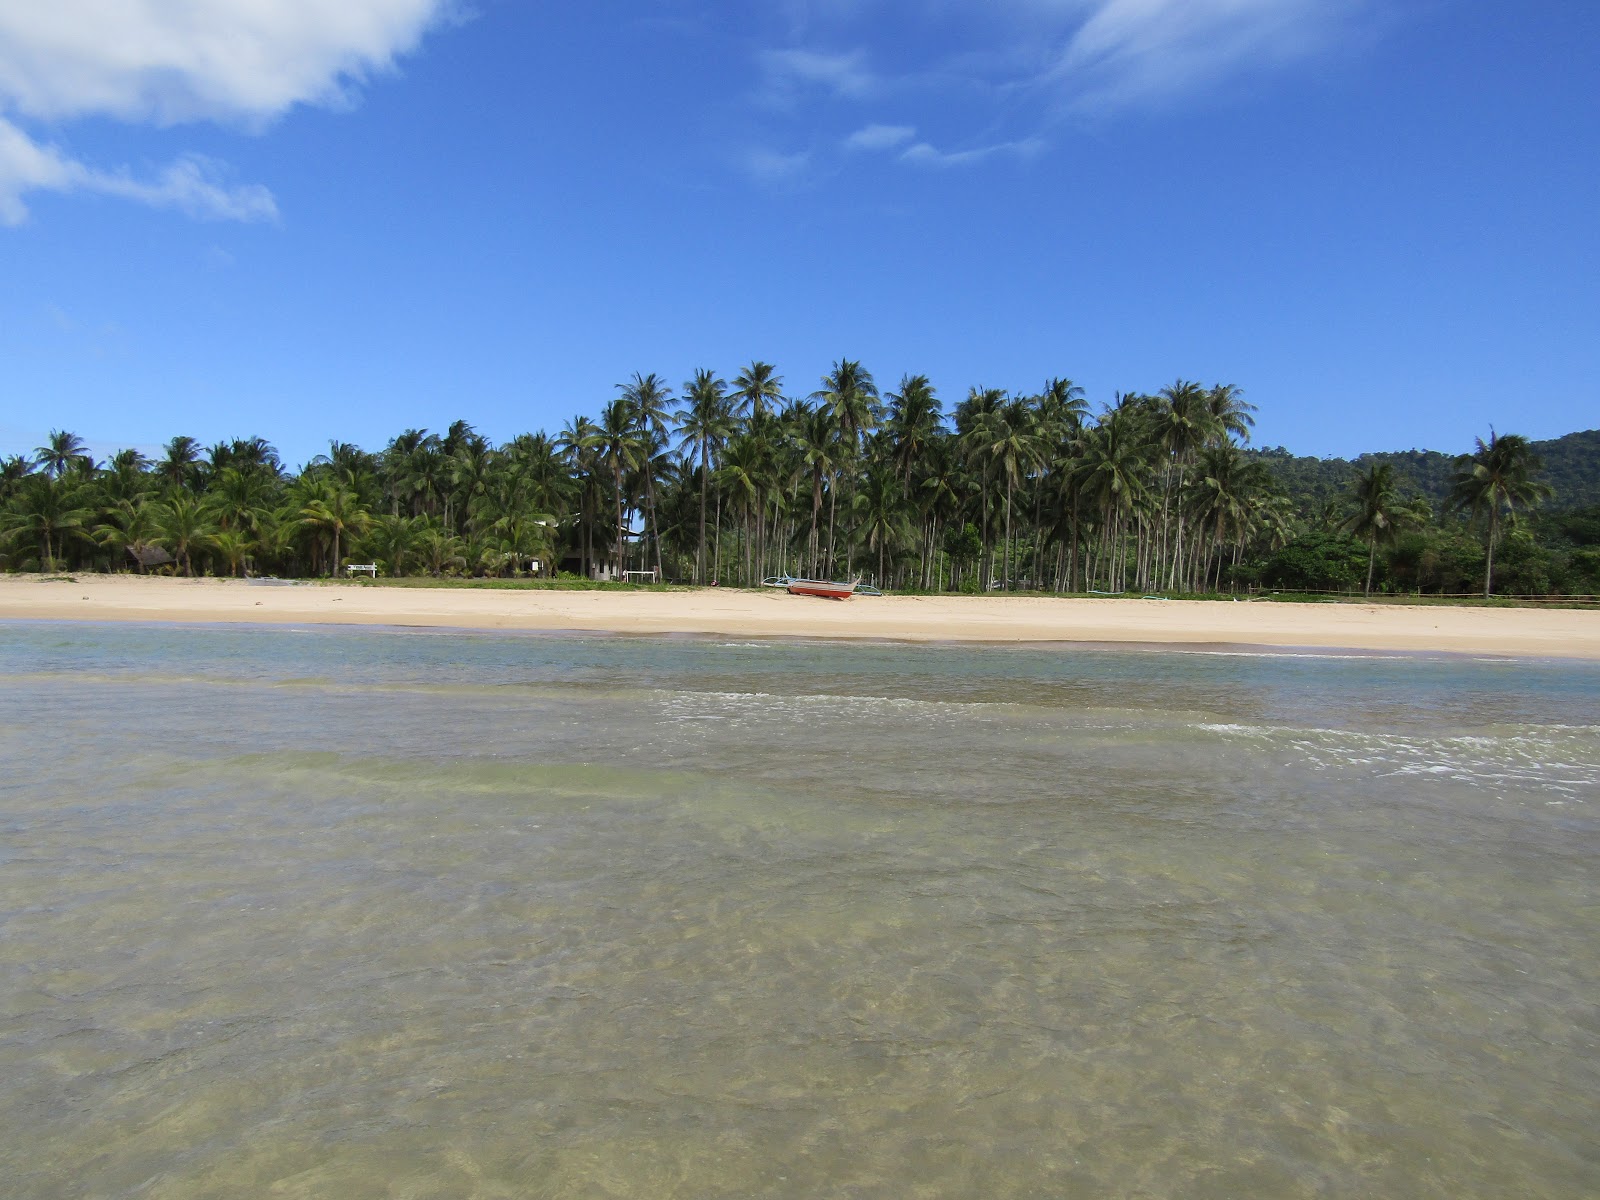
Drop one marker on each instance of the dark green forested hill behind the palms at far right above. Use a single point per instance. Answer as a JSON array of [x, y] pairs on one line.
[[1572, 468]]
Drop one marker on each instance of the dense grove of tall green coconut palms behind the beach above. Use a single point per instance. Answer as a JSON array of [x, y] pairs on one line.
[[732, 482]]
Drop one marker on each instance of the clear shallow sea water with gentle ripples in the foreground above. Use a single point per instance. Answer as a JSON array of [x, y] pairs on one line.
[[361, 913]]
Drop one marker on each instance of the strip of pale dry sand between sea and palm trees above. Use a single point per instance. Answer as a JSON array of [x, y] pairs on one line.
[[774, 614]]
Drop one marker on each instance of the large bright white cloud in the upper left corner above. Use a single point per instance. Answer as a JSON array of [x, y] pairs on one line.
[[172, 62]]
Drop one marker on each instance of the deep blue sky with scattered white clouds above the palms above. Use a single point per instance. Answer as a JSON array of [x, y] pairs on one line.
[[338, 222]]
